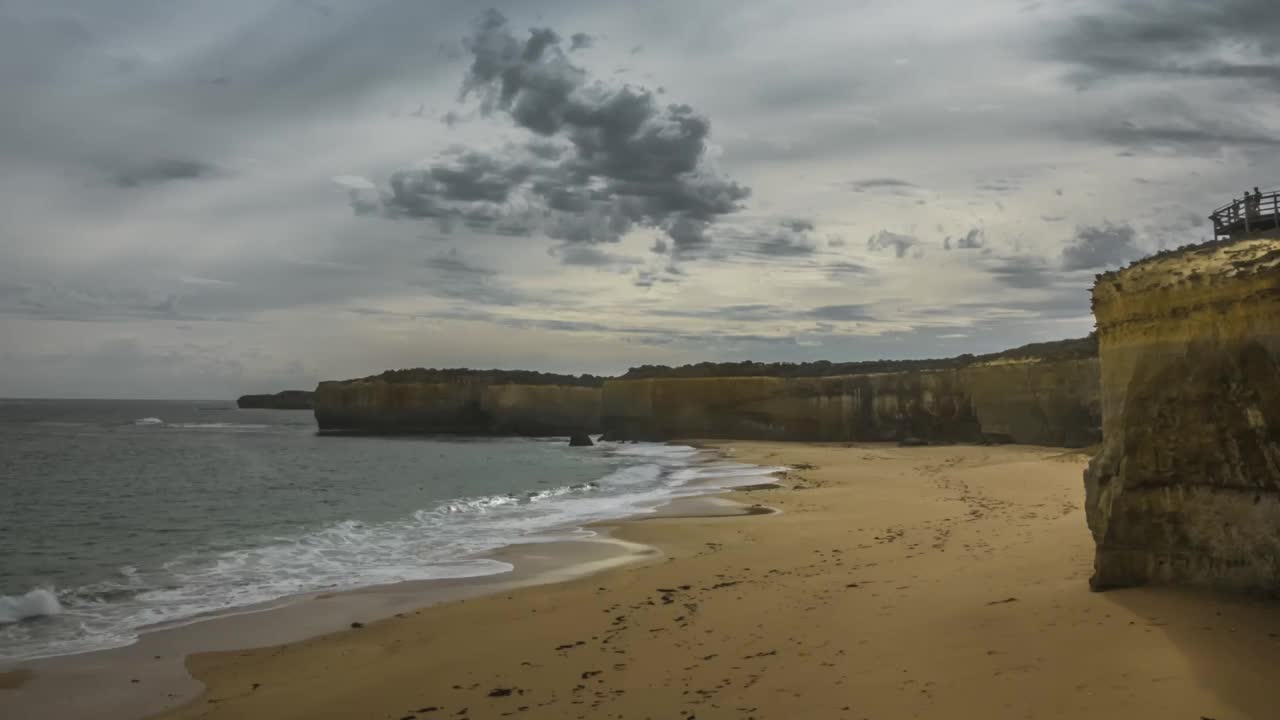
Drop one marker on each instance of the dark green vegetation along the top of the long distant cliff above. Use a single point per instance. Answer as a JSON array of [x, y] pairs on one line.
[[1077, 349]]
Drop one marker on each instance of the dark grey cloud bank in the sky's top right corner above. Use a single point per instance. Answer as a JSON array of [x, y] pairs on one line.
[[1223, 39]]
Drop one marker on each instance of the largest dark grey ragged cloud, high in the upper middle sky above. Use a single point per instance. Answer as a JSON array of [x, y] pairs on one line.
[[605, 160]]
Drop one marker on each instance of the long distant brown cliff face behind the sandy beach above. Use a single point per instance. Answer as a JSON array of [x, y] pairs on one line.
[[1027, 402]]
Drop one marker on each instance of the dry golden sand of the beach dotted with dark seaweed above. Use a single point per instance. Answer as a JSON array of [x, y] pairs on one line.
[[938, 582]]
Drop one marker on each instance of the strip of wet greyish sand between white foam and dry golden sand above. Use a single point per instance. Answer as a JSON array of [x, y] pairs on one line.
[[108, 680]]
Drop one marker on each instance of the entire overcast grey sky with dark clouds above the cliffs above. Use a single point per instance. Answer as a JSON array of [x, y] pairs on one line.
[[202, 199]]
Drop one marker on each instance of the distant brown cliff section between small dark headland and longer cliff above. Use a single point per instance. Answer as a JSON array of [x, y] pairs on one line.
[[463, 402]]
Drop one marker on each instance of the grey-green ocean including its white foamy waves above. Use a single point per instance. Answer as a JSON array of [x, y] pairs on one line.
[[117, 516]]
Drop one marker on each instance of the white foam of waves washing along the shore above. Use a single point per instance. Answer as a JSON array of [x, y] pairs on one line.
[[447, 540]]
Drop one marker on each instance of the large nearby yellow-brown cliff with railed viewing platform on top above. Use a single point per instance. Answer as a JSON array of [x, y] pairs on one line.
[[1187, 485]]
